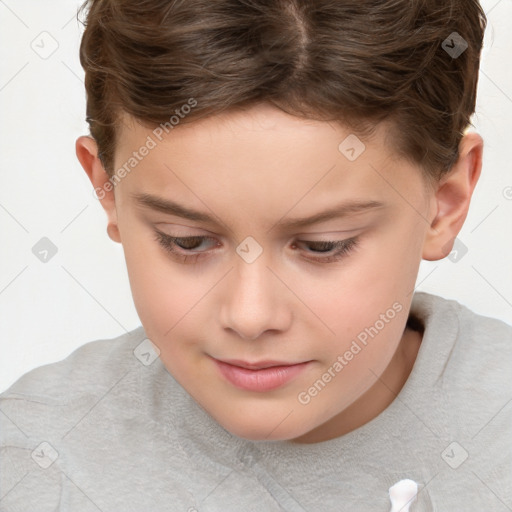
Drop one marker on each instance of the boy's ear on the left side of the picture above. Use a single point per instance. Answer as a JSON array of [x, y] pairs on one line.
[[87, 153]]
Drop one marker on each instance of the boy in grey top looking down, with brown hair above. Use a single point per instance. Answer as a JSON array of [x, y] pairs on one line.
[[275, 171]]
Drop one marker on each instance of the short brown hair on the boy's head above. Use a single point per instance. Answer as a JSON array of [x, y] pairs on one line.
[[357, 62]]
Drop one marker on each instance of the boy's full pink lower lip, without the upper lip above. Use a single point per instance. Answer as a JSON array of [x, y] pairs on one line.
[[265, 379]]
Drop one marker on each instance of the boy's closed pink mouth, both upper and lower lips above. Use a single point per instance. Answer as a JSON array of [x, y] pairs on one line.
[[259, 376]]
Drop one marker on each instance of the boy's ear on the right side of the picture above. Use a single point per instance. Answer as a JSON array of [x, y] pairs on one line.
[[452, 198]]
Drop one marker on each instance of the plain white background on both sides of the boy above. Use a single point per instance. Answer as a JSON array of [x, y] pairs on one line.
[[82, 293]]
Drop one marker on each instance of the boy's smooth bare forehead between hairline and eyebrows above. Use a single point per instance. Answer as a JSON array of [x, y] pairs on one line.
[[262, 160]]
